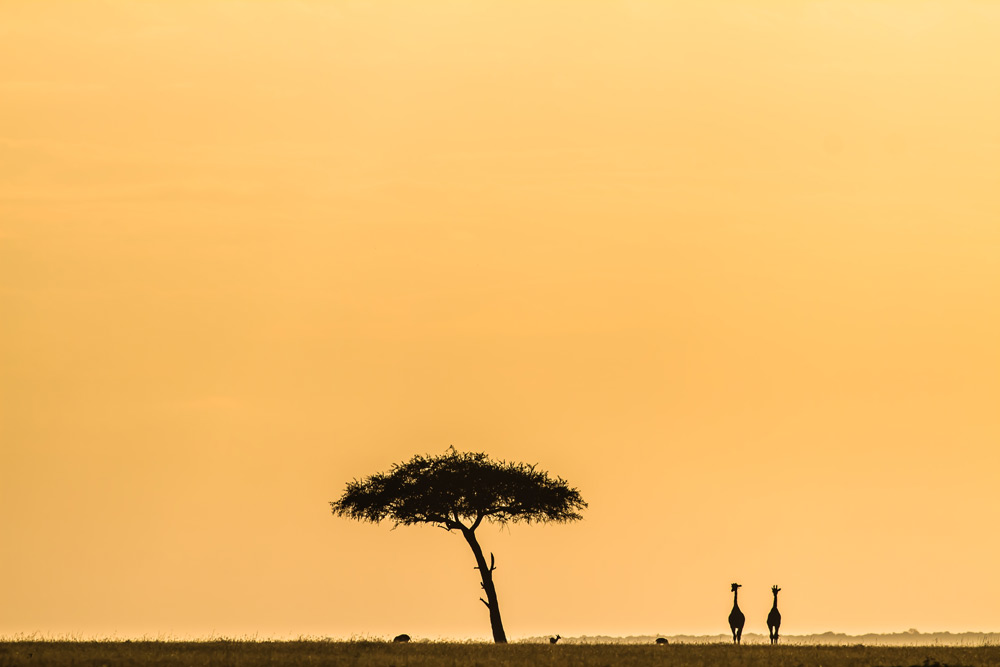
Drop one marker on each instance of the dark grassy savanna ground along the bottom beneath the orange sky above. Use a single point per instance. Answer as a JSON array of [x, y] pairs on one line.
[[419, 654]]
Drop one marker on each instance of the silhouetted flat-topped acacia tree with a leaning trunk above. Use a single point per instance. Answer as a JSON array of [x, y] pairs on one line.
[[457, 491]]
